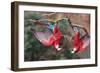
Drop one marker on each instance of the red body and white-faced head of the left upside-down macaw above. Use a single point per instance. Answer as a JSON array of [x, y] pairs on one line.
[[54, 39]]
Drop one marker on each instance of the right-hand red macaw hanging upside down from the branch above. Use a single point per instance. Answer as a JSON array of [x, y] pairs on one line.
[[80, 43]]
